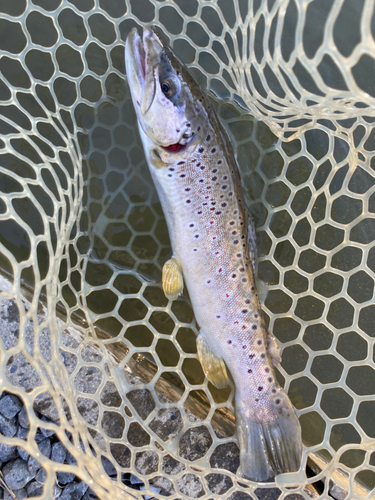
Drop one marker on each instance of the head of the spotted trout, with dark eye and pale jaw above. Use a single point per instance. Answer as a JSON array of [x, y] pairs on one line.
[[166, 98]]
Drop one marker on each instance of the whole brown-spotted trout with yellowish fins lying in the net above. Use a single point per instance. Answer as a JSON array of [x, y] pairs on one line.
[[212, 235]]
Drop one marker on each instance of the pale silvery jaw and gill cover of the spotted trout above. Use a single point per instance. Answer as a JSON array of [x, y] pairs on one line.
[[164, 122]]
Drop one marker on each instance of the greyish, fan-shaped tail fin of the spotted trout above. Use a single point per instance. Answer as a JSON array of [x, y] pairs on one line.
[[269, 448]]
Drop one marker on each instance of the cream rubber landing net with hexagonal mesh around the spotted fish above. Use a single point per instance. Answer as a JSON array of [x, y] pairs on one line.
[[95, 351]]
